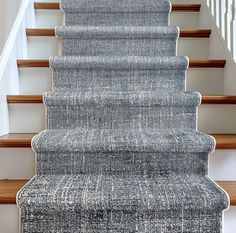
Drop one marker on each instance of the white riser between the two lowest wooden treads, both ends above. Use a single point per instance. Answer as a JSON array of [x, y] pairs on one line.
[[222, 164]]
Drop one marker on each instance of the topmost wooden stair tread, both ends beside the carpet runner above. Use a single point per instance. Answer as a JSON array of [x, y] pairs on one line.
[[175, 7]]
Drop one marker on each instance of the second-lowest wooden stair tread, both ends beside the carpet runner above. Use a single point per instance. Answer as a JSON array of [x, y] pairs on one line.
[[223, 141]]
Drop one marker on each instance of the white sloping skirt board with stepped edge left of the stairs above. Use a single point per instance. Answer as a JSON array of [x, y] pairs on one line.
[[15, 47]]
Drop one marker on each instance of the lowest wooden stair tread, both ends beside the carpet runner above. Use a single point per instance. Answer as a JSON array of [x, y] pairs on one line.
[[9, 189]]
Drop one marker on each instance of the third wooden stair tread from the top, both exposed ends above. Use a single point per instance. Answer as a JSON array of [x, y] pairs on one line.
[[24, 63]]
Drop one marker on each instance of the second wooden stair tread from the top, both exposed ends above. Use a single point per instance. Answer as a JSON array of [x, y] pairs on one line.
[[191, 33]]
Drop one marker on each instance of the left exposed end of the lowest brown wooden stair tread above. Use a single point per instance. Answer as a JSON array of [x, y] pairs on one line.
[[9, 189]]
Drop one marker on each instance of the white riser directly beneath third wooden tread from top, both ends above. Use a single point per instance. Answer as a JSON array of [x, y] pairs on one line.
[[206, 81]]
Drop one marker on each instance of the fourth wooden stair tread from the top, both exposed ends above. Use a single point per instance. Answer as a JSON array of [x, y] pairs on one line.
[[39, 99]]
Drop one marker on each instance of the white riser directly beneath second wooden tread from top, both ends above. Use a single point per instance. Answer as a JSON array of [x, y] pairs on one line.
[[44, 47]]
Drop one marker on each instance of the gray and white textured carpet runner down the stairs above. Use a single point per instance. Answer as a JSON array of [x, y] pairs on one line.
[[121, 153]]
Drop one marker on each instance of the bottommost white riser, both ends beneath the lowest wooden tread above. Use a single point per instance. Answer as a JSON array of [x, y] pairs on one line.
[[9, 219]]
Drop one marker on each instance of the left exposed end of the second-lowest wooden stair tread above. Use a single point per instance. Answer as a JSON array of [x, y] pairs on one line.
[[16, 140]]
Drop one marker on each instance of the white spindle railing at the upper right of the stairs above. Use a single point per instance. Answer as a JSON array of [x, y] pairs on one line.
[[224, 12]]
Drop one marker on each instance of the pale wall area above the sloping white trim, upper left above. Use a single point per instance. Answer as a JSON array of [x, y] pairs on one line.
[[8, 13]]
